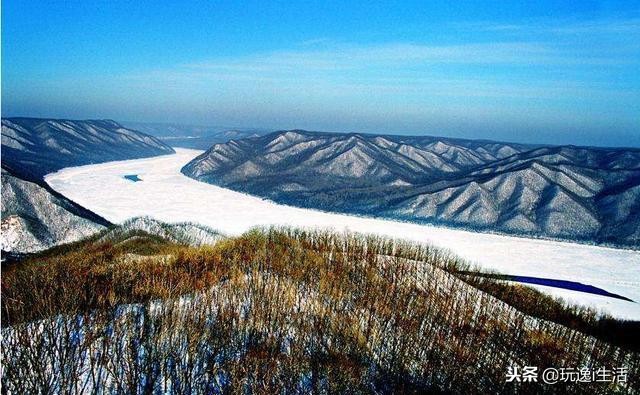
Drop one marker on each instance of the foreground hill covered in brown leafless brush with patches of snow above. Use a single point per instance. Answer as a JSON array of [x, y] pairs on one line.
[[275, 311]]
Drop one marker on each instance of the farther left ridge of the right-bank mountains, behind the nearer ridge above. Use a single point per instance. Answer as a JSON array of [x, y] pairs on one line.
[[334, 160]]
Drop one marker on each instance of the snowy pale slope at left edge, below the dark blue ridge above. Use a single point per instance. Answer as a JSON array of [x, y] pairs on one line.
[[35, 218]]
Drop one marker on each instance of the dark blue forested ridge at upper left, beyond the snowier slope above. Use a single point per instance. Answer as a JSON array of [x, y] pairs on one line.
[[33, 147]]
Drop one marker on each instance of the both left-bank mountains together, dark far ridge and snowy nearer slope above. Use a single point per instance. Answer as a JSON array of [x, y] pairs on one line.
[[34, 217]]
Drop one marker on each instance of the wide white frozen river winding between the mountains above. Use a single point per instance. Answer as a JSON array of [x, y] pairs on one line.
[[166, 194]]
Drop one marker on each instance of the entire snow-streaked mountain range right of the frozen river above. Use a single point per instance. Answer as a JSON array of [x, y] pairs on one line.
[[565, 192]]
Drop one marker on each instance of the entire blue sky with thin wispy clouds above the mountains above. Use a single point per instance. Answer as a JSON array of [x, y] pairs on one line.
[[548, 71]]
